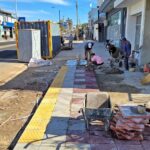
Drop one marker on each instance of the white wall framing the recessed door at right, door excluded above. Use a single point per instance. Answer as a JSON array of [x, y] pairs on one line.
[[132, 10]]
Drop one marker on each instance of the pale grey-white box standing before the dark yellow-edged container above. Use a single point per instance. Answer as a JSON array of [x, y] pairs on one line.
[[29, 43]]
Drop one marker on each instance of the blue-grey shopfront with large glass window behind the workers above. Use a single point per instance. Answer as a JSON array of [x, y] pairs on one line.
[[113, 26]]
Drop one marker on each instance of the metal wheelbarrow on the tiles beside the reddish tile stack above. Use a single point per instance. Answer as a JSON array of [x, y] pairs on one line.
[[97, 106]]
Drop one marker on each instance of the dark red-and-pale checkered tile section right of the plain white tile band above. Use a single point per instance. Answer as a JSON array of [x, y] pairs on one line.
[[96, 138]]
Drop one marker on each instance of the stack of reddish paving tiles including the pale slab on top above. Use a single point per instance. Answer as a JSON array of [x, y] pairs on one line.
[[128, 123]]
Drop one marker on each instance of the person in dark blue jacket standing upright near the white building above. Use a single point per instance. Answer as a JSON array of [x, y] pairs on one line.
[[126, 48]]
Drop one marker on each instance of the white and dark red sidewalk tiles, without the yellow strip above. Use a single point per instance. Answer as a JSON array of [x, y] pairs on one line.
[[66, 129]]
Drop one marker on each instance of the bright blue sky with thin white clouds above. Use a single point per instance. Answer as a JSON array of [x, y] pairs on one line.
[[49, 9]]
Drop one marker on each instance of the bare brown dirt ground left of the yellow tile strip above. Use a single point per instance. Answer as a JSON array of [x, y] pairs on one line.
[[19, 96]]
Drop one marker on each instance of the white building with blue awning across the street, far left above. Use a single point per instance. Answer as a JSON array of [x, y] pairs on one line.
[[7, 24]]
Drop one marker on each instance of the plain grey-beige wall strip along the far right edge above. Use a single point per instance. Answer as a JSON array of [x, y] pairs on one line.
[[145, 56]]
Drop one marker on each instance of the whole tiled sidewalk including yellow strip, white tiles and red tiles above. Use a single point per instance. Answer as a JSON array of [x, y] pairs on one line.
[[57, 123]]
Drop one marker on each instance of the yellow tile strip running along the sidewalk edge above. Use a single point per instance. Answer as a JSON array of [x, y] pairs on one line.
[[36, 128]]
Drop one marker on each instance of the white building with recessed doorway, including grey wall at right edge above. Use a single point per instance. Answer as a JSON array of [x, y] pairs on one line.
[[137, 25]]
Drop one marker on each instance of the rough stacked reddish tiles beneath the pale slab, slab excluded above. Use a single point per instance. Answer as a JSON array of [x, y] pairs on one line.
[[128, 128]]
